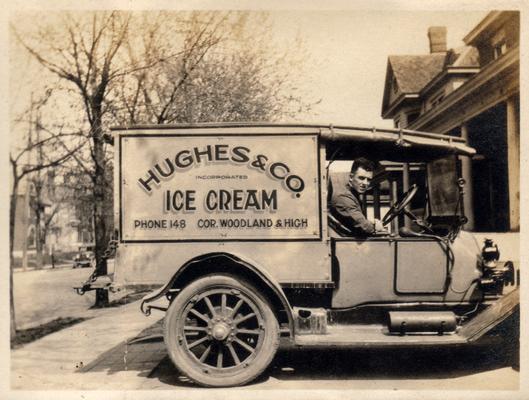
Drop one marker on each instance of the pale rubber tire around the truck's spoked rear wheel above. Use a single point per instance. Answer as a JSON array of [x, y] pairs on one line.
[[179, 355]]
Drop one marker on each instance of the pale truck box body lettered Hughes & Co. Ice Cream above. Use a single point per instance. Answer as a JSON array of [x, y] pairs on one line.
[[252, 193]]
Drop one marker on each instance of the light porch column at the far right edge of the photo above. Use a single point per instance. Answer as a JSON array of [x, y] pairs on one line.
[[513, 162]]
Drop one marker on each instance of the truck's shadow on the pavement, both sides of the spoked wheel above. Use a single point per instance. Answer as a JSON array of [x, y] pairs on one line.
[[148, 357]]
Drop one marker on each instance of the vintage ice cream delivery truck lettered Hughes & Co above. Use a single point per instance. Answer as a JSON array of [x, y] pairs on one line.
[[231, 223]]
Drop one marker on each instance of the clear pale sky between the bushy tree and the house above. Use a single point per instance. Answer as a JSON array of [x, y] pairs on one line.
[[349, 51]]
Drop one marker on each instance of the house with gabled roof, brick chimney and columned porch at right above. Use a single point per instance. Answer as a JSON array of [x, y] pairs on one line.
[[473, 92]]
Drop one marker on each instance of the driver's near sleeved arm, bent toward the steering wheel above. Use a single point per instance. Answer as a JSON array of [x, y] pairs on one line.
[[347, 209]]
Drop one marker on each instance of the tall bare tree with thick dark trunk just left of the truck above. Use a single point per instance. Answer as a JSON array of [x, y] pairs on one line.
[[85, 52]]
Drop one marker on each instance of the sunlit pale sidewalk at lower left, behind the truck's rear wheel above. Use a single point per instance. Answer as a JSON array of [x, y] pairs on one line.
[[53, 361]]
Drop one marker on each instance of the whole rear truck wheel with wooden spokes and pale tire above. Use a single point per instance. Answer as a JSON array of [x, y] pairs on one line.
[[220, 331]]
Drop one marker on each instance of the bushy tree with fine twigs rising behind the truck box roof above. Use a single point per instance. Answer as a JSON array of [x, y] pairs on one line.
[[228, 70]]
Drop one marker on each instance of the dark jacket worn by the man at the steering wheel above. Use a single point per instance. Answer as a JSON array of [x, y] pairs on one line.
[[347, 208]]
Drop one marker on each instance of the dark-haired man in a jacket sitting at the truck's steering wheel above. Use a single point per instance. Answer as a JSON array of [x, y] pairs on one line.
[[346, 205]]
